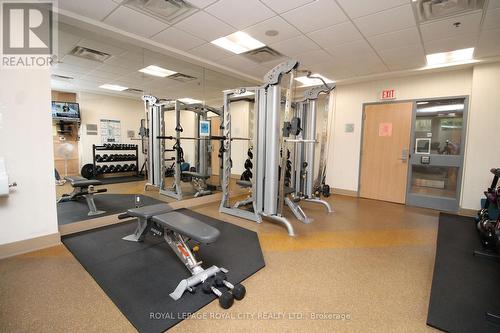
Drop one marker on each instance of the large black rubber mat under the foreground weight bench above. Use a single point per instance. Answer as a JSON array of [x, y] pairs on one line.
[[138, 277]]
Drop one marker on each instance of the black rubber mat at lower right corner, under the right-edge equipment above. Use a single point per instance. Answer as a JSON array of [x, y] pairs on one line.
[[464, 287]]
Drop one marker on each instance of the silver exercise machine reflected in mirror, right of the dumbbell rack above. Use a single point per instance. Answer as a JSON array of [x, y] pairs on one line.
[[158, 165]]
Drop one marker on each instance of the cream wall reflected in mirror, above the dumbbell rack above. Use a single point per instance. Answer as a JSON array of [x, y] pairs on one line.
[[94, 107]]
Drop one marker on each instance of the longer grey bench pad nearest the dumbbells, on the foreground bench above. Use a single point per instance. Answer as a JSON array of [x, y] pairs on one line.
[[188, 226]]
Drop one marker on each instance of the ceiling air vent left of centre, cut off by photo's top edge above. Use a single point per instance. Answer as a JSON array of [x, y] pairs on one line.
[[169, 11]]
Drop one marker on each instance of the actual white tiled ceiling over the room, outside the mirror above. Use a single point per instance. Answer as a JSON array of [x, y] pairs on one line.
[[340, 39]]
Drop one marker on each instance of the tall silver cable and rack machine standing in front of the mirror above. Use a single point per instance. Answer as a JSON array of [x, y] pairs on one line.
[[277, 132]]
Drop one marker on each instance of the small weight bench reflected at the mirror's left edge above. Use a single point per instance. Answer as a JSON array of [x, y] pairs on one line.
[[83, 187]]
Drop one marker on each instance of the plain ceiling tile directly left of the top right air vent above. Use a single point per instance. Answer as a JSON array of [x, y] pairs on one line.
[[386, 21]]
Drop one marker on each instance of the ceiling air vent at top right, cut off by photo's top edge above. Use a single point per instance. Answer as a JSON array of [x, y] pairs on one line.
[[428, 10]]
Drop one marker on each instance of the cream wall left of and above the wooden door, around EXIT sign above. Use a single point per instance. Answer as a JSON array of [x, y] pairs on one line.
[[343, 158]]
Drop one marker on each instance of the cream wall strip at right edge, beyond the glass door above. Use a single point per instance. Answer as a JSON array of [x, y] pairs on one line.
[[483, 140]]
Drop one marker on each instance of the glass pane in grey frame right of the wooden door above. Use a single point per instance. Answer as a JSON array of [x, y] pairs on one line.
[[436, 161]]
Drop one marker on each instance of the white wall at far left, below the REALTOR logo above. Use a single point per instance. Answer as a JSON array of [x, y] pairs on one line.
[[26, 144]]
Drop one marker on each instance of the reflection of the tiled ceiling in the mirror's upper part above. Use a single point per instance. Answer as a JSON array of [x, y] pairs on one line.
[[122, 69]]
